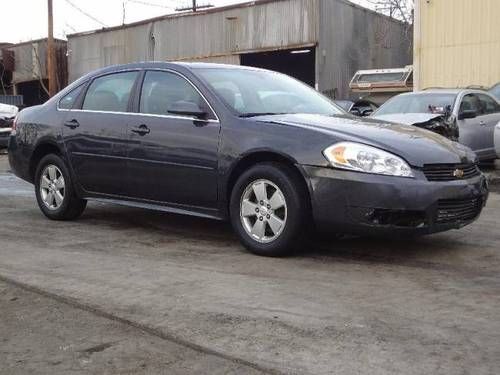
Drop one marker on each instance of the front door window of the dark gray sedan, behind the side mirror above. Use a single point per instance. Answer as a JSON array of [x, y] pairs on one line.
[[161, 89]]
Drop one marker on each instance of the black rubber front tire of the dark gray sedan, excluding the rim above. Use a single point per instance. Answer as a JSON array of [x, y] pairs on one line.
[[298, 215]]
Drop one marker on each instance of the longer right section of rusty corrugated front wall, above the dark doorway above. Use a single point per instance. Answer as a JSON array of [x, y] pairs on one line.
[[267, 25]]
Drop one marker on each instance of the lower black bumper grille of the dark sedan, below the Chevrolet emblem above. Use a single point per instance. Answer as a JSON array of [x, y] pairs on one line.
[[453, 210]]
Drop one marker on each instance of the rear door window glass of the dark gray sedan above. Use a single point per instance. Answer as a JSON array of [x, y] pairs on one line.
[[110, 93]]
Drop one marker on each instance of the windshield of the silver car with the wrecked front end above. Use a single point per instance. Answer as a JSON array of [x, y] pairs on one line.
[[418, 103]]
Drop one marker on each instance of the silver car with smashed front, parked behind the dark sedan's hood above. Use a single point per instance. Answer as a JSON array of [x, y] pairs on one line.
[[467, 116]]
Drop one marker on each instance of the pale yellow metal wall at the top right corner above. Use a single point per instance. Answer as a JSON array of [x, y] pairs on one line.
[[456, 43]]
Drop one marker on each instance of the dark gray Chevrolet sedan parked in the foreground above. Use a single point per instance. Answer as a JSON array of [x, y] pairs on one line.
[[256, 147]]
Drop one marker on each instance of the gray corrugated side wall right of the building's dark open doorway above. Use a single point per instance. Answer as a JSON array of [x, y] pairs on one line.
[[353, 38]]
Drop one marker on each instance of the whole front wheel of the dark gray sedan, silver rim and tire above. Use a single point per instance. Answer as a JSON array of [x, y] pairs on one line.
[[269, 209]]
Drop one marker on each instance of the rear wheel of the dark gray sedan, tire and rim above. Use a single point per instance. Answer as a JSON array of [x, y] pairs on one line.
[[54, 190]]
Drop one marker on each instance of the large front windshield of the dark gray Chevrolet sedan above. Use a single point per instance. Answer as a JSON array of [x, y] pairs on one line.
[[252, 92]]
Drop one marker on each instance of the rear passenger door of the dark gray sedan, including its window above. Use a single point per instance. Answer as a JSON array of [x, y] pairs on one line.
[[95, 133]]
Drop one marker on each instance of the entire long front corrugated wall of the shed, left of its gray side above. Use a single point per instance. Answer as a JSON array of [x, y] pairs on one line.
[[211, 36]]
